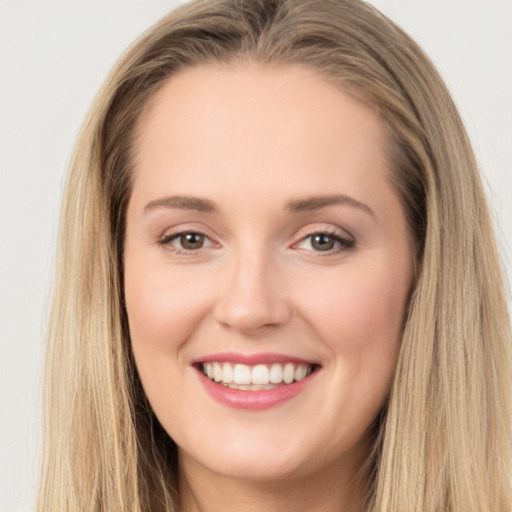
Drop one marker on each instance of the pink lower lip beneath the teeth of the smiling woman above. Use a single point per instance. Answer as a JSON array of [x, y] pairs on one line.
[[254, 400]]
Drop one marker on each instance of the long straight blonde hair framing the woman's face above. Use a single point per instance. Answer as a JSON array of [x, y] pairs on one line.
[[443, 438]]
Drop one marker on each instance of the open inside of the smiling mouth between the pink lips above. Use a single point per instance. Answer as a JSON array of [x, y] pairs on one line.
[[256, 377]]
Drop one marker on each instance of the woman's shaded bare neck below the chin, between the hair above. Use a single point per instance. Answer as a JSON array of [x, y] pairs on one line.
[[333, 489]]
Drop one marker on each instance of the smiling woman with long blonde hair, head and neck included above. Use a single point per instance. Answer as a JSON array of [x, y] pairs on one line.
[[278, 285]]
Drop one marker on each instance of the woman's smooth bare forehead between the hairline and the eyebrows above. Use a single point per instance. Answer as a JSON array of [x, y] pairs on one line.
[[284, 125]]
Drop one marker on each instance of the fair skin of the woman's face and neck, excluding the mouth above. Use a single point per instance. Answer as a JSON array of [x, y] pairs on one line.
[[253, 141]]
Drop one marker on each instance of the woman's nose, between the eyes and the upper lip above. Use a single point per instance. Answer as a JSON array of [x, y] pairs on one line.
[[251, 298]]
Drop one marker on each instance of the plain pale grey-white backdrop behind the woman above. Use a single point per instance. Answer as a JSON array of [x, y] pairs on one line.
[[54, 54]]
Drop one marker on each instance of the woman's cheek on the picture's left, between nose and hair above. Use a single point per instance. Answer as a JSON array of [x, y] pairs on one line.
[[164, 309]]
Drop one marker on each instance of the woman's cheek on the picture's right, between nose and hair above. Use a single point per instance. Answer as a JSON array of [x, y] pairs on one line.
[[358, 315]]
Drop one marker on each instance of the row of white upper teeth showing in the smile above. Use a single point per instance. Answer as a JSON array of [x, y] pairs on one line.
[[260, 374]]
